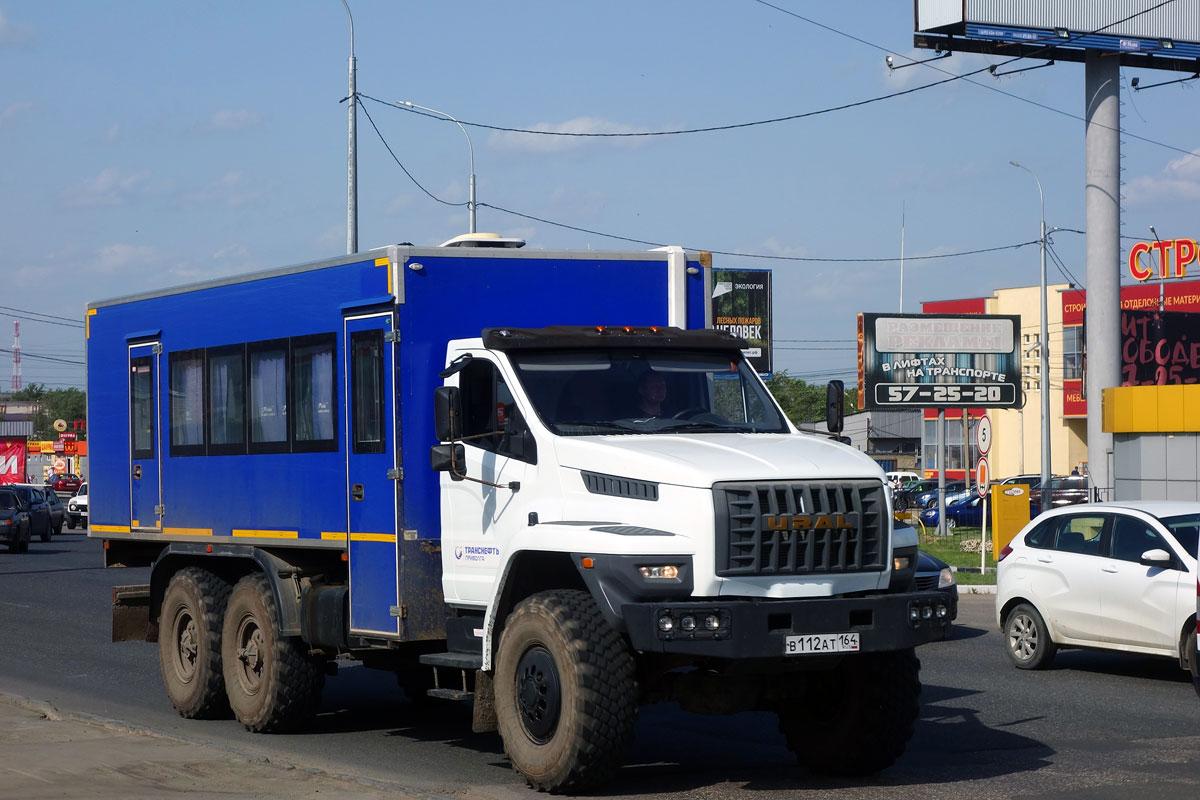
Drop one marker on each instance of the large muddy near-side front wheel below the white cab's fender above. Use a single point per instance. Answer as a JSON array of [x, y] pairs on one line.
[[566, 693]]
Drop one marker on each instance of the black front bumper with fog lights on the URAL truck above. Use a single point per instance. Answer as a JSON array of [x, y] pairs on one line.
[[758, 629]]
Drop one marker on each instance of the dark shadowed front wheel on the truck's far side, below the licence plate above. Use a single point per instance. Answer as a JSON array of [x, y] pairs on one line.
[[857, 719]]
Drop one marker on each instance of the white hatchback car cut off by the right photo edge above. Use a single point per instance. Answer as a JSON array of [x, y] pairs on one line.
[[1113, 576]]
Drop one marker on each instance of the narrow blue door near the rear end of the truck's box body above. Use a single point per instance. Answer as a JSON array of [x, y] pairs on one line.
[[146, 441]]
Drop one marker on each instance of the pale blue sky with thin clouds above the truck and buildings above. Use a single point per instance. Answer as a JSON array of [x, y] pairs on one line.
[[149, 145]]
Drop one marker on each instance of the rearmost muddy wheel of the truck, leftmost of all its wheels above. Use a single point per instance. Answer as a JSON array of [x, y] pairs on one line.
[[190, 643]]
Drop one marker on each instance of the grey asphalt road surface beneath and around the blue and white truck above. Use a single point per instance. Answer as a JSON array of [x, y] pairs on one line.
[[1096, 726]]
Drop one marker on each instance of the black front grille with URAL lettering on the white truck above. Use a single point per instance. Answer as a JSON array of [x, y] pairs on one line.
[[784, 528]]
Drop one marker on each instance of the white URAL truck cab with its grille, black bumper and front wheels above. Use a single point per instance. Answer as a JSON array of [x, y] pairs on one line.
[[644, 485]]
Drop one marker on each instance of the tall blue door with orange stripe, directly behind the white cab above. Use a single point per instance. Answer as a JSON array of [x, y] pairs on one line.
[[371, 474]]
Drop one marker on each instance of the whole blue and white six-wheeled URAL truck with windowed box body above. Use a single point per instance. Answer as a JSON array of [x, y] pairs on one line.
[[529, 479]]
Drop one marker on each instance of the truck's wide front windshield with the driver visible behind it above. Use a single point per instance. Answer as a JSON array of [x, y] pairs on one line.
[[596, 392]]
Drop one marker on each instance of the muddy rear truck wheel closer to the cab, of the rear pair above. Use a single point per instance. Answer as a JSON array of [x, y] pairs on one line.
[[274, 685]]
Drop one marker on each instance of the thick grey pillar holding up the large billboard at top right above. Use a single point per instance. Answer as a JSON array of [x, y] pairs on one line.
[[1103, 222]]
